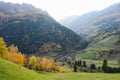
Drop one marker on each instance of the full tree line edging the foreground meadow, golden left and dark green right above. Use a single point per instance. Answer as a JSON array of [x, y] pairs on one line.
[[12, 54]]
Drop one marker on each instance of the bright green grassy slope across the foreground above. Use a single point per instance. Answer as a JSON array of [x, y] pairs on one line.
[[11, 71]]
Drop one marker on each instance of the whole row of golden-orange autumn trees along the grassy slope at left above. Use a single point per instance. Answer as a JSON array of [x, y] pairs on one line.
[[12, 54]]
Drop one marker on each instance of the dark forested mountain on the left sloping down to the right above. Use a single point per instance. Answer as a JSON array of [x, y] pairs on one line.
[[30, 28]]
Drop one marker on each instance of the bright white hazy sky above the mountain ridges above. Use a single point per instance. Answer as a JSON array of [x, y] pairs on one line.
[[59, 9]]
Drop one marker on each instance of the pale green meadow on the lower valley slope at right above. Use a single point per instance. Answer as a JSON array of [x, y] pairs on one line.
[[107, 43]]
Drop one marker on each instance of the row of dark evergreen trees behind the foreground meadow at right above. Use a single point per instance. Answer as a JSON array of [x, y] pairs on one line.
[[82, 66]]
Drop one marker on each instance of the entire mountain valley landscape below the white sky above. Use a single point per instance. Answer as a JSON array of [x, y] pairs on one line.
[[34, 46]]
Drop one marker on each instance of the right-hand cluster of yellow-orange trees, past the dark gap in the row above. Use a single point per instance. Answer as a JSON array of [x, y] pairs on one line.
[[44, 64]]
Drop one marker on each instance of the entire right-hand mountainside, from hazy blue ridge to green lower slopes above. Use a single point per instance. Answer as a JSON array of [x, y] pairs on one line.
[[101, 29]]
